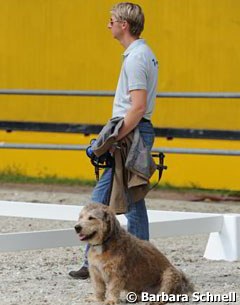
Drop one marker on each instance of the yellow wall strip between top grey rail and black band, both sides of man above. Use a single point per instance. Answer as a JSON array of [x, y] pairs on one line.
[[178, 113]]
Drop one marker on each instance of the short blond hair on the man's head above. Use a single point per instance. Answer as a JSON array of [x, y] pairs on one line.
[[132, 13]]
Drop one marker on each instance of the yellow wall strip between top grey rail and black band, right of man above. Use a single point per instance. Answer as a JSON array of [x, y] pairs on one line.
[[197, 113]]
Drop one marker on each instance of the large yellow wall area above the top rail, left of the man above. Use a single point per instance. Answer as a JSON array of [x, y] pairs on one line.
[[57, 44]]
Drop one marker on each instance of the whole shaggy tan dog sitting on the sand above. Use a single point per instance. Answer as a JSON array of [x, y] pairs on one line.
[[119, 261]]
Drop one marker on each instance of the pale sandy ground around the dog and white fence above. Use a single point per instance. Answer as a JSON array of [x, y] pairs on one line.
[[41, 276]]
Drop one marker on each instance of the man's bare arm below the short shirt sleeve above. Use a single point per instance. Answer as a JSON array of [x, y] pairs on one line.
[[135, 113]]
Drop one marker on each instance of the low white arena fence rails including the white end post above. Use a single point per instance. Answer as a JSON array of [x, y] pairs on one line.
[[224, 229]]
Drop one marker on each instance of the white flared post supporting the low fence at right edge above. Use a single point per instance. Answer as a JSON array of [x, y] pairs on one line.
[[225, 244]]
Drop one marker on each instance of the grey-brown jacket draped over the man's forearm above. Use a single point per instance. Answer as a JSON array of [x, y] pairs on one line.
[[134, 164]]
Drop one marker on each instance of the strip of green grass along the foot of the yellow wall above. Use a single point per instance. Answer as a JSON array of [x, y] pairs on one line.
[[15, 176]]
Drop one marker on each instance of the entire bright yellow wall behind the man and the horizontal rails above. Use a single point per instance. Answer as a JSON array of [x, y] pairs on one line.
[[62, 44]]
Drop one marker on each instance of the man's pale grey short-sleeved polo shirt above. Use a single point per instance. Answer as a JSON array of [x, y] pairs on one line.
[[139, 71]]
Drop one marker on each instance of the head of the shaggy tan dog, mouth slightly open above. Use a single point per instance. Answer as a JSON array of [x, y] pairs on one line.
[[96, 224]]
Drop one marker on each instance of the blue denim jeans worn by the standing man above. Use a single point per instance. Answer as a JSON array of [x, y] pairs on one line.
[[137, 213]]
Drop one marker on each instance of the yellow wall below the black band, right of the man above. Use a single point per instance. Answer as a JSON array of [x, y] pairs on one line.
[[218, 172]]
